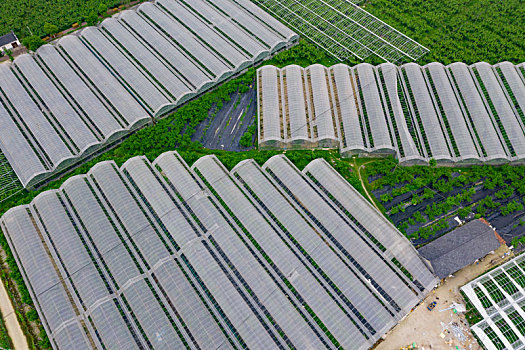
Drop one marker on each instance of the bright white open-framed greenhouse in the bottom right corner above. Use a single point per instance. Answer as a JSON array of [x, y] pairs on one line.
[[499, 298]]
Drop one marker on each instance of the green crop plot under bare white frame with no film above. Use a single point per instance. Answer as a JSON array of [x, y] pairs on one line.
[[344, 29]]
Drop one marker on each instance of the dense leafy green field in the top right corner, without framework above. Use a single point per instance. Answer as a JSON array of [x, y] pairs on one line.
[[459, 30]]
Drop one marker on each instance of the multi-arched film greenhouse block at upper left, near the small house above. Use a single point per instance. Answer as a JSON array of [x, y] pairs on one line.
[[86, 91]]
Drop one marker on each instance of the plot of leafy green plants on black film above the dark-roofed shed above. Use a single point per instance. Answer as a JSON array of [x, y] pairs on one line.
[[423, 202]]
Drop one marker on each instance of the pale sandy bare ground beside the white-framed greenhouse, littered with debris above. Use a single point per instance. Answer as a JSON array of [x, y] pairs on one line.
[[424, 328]]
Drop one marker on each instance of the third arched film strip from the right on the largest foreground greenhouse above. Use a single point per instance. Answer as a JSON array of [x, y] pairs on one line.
[[358, 298]]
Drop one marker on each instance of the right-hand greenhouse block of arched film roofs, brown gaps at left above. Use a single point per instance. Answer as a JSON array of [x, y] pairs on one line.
[[450, 114]]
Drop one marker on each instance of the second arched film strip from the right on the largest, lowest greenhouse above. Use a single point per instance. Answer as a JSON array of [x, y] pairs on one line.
[[359, 250]]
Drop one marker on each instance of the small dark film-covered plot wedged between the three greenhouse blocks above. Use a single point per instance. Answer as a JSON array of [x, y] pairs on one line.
[[227, 122]]
